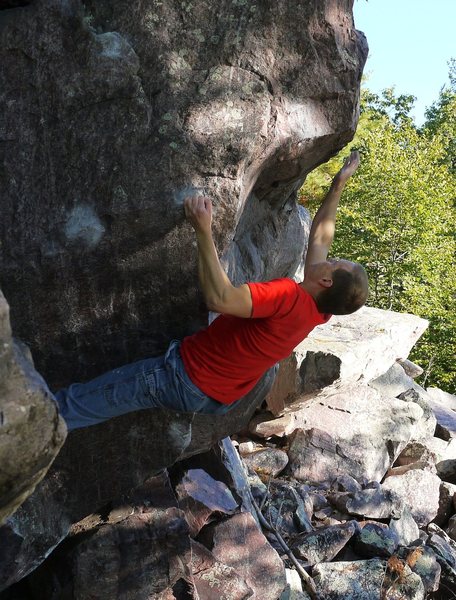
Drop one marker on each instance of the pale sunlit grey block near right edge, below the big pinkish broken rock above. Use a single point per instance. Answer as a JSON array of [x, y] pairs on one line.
[[420, 492]]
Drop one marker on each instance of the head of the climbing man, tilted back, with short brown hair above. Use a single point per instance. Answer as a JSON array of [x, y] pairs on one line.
[[338, 286]]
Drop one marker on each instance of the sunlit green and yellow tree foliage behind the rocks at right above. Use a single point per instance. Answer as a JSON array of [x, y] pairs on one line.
[[397, 218]]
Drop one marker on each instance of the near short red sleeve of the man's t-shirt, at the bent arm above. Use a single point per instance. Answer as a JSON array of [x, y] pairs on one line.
[[273, 298]]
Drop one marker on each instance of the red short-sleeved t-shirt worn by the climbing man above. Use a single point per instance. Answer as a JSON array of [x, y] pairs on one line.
[[226, 359]]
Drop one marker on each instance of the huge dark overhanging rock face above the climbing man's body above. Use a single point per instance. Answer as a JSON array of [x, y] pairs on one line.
[[110, 116]]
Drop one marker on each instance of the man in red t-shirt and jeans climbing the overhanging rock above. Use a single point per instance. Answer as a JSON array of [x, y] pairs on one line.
[[259, 324]]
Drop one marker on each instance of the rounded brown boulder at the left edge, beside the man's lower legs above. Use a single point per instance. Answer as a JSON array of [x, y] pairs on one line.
[[31, 430]]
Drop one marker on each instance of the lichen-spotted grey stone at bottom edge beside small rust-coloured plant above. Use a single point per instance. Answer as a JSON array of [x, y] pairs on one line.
[[364, 580]]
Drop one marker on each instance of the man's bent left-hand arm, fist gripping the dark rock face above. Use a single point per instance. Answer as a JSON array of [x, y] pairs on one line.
[[219, 293]]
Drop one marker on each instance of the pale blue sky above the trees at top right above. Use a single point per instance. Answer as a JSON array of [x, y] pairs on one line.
[[410, 44]]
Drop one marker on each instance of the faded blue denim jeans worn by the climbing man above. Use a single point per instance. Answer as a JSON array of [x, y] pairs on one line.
[[159, 382]]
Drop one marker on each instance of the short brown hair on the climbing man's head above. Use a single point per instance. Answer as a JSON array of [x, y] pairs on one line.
[[348, 292]]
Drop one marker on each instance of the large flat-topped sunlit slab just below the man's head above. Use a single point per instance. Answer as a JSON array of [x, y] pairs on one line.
[[347, 349]]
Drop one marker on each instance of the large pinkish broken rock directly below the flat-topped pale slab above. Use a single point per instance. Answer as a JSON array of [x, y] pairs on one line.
[[363, 434]]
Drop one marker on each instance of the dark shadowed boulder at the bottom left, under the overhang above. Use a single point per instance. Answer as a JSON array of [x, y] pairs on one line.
[[144, 554]]
